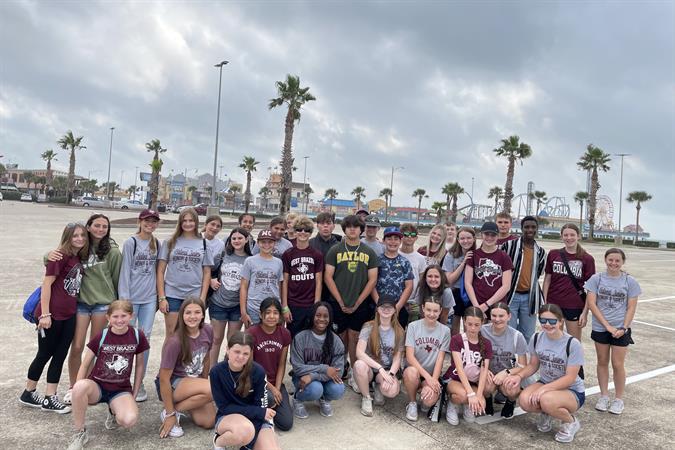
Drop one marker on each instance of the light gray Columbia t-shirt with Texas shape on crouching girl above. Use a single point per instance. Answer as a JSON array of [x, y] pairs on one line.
[[427, 342]]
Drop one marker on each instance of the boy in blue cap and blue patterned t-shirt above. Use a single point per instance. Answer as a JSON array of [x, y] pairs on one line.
[[395, 275]]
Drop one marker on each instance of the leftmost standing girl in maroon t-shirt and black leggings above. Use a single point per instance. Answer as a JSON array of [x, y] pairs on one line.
[[56, 314]]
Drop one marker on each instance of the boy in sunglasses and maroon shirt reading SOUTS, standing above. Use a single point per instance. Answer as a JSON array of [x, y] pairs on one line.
[[303, 277]]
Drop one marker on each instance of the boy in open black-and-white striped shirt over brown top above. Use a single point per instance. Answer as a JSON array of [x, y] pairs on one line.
[[525, 294]]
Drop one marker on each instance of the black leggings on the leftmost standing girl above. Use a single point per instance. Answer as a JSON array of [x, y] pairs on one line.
[[53, 346]]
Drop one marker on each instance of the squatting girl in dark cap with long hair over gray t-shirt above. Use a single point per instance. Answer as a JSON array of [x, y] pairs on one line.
[[379, 353]]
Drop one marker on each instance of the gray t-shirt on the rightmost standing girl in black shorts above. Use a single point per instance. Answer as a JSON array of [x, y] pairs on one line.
[[612, 294]]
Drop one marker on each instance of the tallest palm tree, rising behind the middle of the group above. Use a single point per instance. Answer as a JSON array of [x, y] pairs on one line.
[[289, 92]]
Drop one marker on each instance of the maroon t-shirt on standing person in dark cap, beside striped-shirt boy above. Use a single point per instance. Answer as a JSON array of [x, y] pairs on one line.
[[488, 269]]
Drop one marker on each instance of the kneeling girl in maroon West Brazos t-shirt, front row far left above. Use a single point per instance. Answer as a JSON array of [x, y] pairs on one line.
[[105, 373]]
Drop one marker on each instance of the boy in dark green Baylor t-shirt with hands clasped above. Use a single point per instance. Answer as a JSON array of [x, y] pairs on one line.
[[350, 276]]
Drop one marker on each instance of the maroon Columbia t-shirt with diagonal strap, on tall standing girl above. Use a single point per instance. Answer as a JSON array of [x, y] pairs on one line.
[[561, 291]]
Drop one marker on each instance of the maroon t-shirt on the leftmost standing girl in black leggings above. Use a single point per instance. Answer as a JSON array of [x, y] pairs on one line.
[[66, 286]]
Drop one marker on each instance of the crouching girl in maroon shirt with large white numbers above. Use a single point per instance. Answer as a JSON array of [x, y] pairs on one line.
[[469, 383]]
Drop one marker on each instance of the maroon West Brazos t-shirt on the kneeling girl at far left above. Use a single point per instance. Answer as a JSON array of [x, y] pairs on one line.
[[112, 370]]
